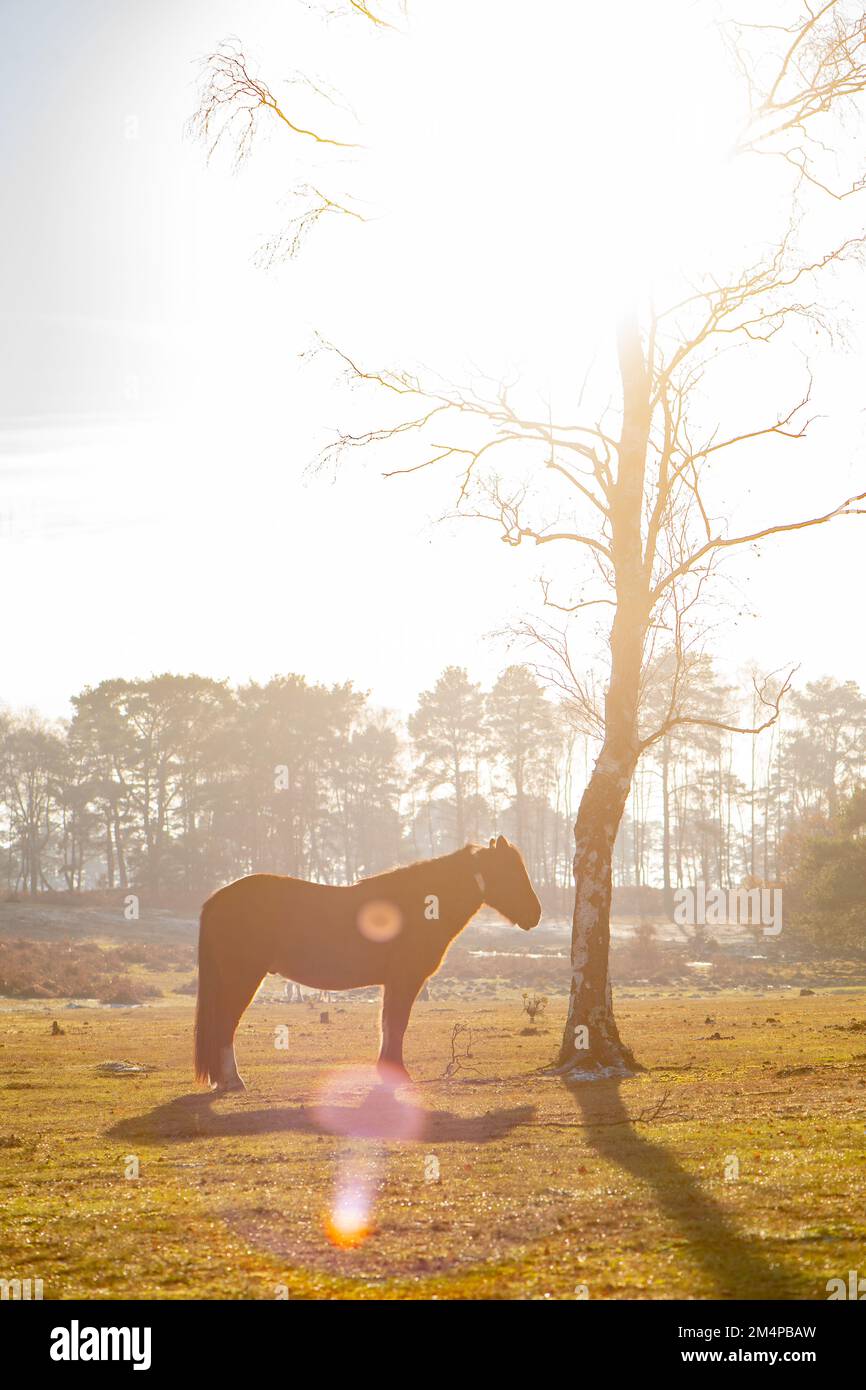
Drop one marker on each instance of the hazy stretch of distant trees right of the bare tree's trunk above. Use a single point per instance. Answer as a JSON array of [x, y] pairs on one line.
[[724, 808]]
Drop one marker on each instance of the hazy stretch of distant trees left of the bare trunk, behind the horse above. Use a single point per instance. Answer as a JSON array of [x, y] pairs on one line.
[[180, 783]]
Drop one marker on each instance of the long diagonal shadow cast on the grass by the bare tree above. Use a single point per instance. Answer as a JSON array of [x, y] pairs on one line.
[[736, 1263]]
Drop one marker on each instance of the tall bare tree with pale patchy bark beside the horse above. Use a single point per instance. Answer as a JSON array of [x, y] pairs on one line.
[[635, 472]]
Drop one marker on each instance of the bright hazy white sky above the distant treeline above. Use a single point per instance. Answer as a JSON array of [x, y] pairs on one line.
[[156, 416]]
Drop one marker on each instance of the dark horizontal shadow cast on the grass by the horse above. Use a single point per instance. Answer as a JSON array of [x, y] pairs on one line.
[[380, 1115]]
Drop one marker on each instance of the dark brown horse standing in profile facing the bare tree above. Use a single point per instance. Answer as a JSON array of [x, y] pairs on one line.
[[391, 931]]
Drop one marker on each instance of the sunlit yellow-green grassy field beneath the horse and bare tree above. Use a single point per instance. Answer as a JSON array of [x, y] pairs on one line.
[[733, 1167]]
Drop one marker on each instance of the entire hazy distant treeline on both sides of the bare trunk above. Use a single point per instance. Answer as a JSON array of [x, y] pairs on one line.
[[176, 785]]
